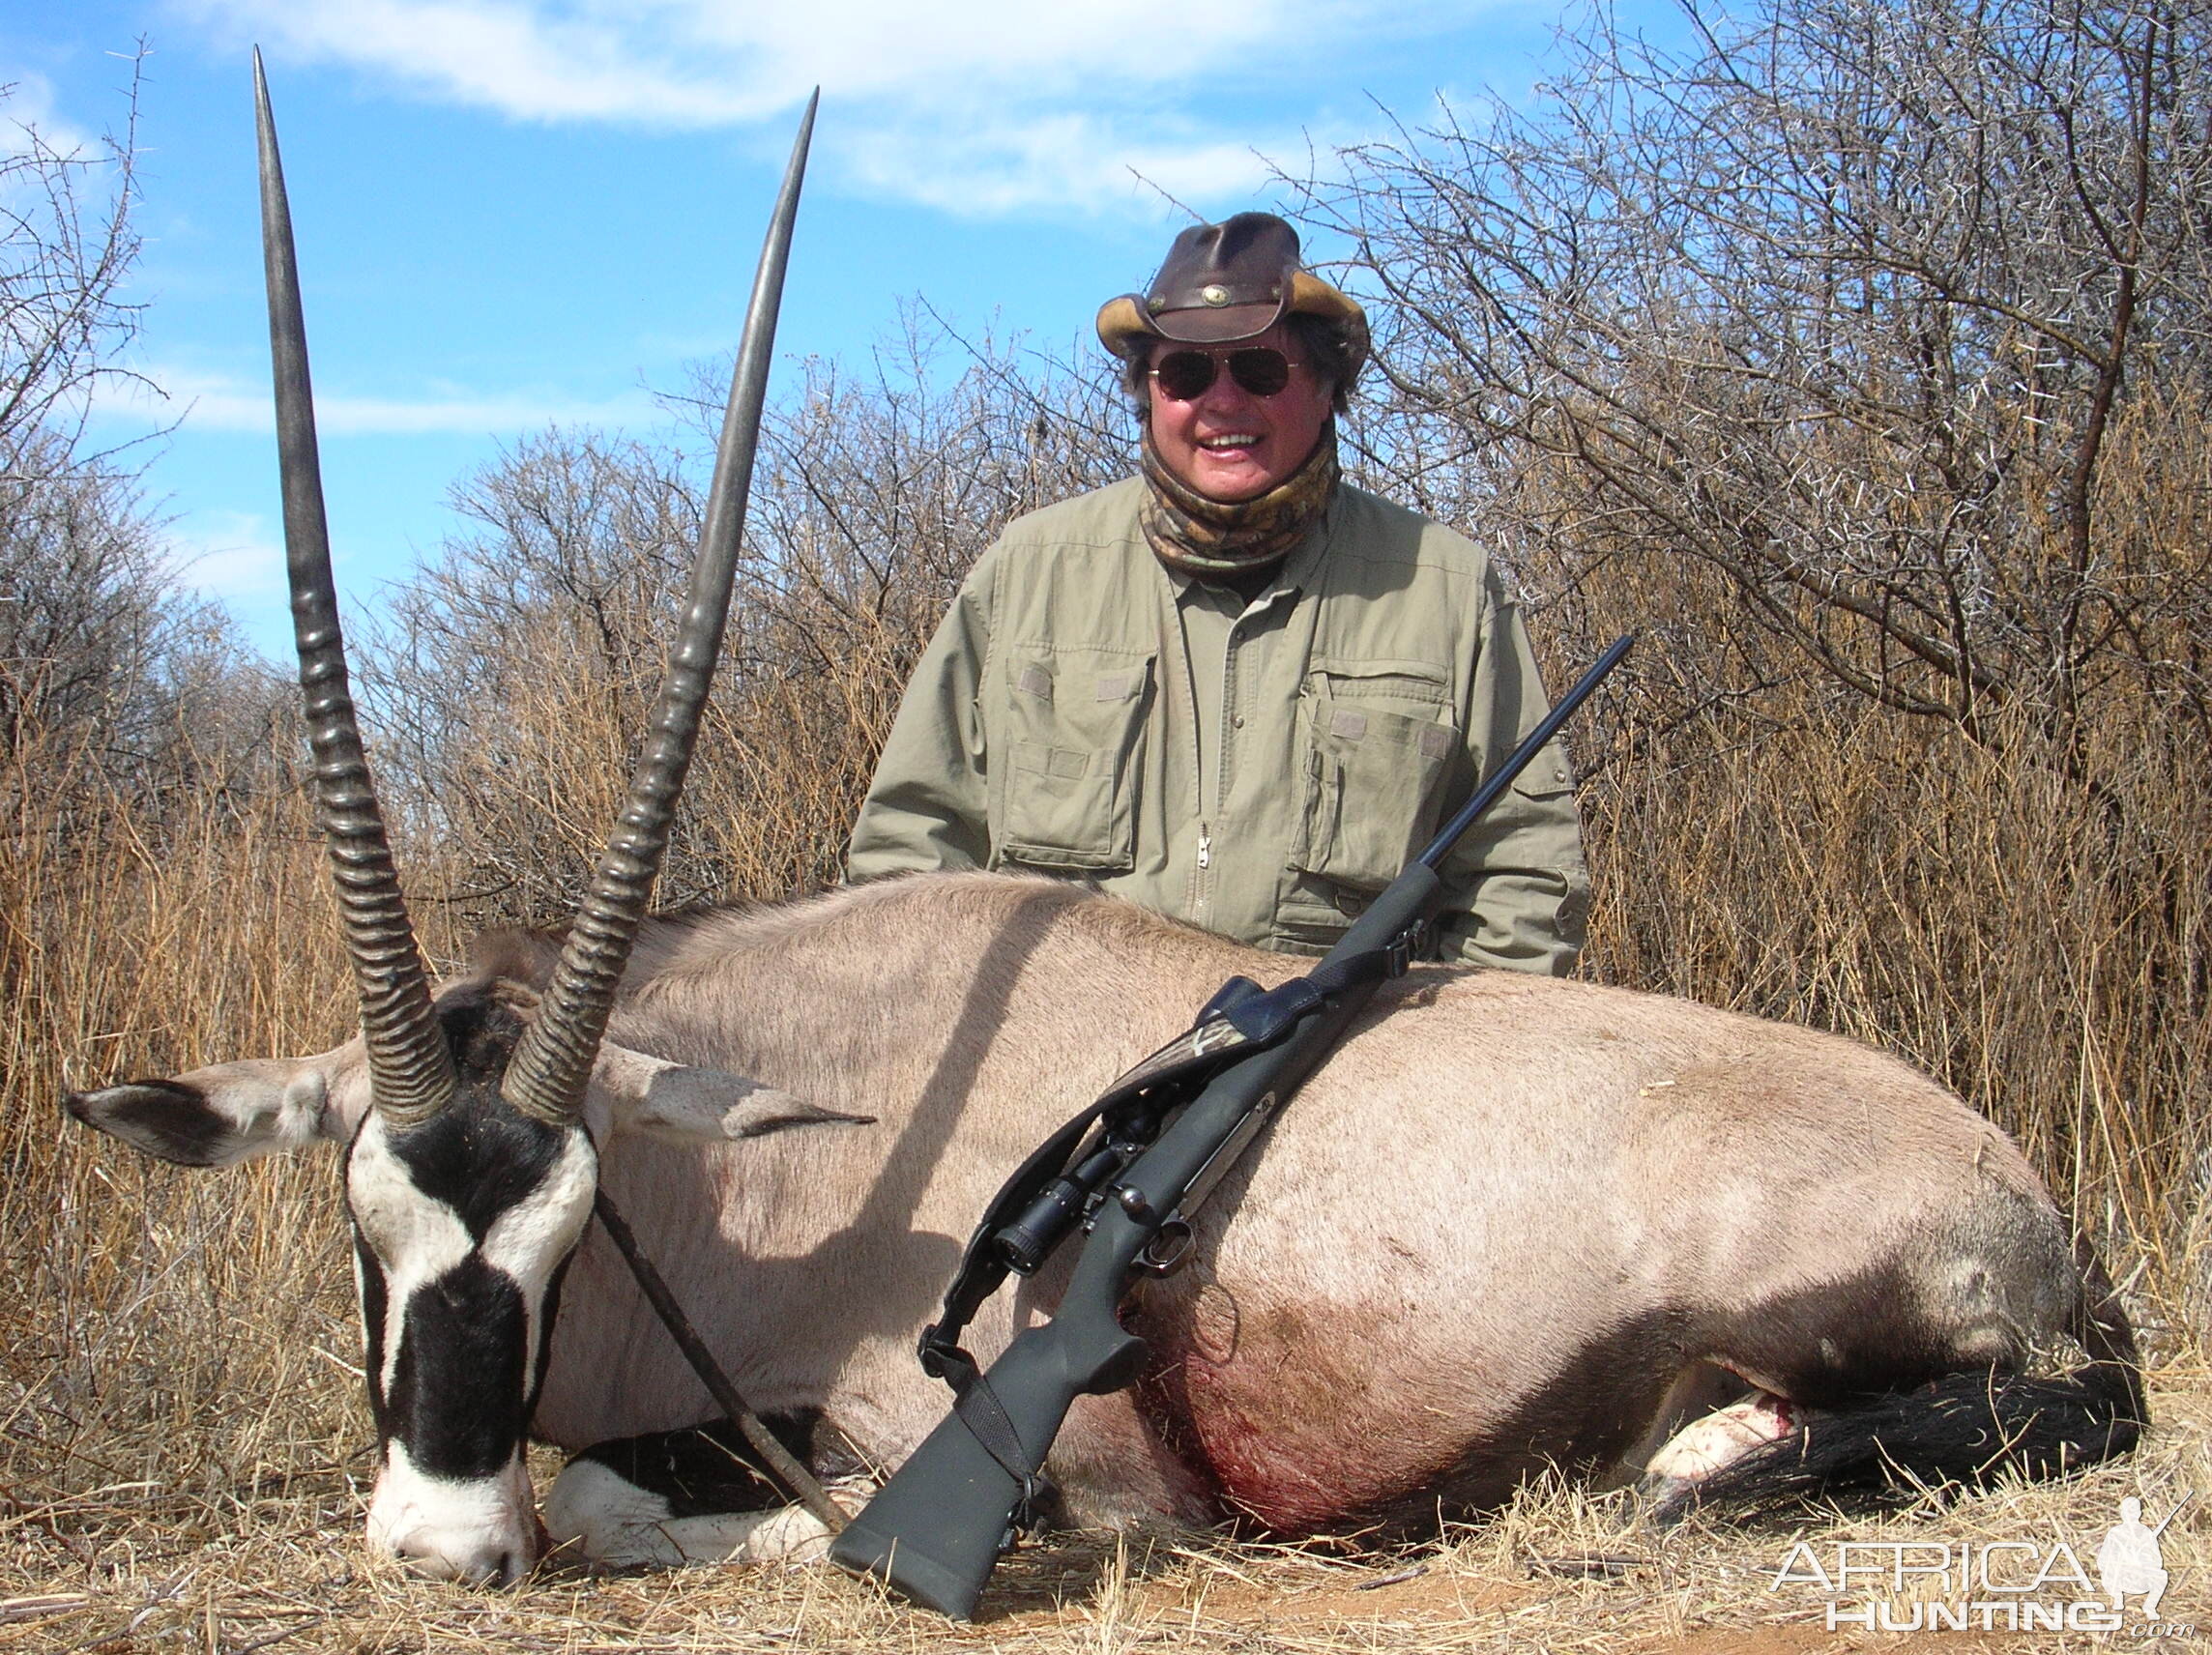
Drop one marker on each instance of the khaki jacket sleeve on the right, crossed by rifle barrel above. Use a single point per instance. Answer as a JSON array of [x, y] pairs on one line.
[[1516, 888]]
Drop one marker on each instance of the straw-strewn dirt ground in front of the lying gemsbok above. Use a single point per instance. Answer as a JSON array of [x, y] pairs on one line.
[[282, 1568]]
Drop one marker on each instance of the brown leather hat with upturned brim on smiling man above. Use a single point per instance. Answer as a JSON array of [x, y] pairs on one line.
[[1227, 282]]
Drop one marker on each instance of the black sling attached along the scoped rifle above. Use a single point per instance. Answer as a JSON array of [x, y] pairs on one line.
[[1242, 1019]]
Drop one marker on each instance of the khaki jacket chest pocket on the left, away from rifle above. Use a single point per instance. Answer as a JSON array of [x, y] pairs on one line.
[[1072, 762]]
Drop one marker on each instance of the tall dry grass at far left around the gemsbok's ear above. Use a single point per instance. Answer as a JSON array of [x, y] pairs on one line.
[[171, 1340]]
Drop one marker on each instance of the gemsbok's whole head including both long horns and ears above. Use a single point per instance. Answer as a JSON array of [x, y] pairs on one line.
[[470, 1123]]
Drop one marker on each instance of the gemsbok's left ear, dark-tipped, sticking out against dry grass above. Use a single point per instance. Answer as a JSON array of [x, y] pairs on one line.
[[220, 1116]]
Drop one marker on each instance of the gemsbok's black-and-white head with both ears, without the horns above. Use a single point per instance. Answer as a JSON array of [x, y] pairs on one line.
[[463, 1225]]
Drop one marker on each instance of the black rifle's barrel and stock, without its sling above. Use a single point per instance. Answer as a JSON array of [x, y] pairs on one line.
[[939, 1526]]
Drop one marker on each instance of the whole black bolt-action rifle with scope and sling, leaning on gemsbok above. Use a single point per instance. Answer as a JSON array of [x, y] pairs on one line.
[[1129, 1172]]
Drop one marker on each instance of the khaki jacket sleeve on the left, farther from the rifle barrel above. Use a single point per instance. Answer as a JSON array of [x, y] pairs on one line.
[[928, 806]]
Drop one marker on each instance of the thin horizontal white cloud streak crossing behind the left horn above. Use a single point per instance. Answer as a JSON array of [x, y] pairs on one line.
[[220, 404]]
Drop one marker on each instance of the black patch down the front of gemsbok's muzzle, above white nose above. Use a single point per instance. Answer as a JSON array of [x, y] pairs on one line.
[[457, 1391]]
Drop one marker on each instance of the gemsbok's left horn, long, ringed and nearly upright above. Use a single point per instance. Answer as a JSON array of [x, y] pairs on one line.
[[410, 1070]]
